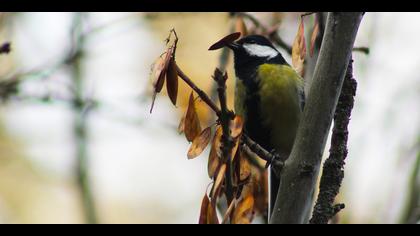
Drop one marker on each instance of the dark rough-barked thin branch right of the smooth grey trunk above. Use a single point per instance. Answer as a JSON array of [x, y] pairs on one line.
[[333, 174]]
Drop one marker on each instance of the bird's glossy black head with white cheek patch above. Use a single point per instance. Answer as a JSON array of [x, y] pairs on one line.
[[253, 51]]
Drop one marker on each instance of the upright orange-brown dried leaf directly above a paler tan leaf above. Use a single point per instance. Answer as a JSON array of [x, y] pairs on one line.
[[192, 127]]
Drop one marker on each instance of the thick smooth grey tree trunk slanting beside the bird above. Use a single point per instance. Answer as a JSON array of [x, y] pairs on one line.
[[294, 199]]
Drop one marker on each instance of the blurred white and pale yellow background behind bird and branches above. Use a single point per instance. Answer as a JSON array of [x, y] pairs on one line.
[[76, 135]]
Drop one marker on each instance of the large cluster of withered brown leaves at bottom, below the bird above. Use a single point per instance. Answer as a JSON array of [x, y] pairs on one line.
[[247, 181]]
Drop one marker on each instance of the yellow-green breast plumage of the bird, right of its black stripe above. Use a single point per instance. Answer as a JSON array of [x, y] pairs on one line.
[[280, 86]]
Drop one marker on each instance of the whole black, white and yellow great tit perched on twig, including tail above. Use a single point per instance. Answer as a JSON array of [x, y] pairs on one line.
[[269, 95]]
